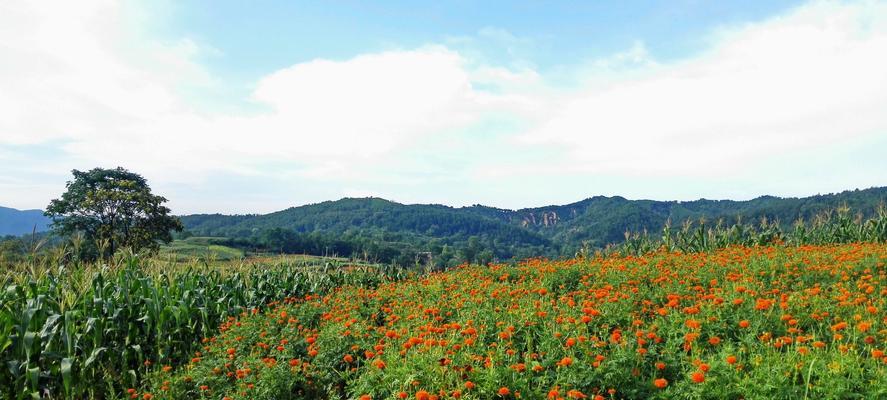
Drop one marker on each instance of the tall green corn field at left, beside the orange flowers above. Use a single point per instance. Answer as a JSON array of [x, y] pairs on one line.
[[88, 331]]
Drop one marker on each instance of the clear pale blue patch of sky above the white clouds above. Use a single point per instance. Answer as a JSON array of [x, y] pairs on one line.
[[269, 35]]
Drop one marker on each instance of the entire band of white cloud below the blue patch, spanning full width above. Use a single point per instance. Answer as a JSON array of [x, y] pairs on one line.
[[79, 76]]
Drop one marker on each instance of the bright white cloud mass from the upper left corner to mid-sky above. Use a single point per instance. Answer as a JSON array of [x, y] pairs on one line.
[[79, 75]]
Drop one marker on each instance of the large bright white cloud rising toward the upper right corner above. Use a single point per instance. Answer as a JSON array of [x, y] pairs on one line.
[[802, 81]]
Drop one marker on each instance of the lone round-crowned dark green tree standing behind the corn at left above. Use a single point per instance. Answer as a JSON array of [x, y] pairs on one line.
[[113, 208]]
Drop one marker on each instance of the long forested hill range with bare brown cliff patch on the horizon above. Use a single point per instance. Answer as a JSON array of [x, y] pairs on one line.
[[382, 228]]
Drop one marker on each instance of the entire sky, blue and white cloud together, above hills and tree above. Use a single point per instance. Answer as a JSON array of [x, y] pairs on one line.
[[253, 107]]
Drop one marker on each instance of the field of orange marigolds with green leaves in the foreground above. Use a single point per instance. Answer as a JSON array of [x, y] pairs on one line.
[[753, 323]]
